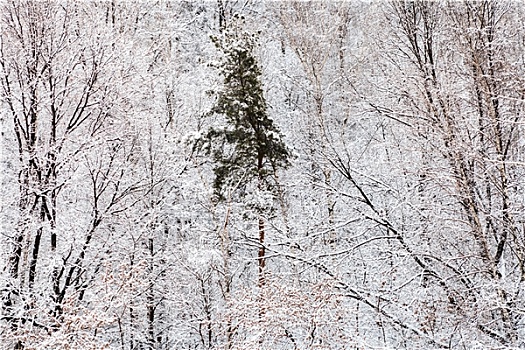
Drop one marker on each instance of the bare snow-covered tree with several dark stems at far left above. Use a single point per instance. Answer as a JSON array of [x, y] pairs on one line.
[[56, 89]]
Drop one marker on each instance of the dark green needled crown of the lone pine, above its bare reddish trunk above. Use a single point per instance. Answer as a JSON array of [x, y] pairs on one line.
[[249, 146]]
